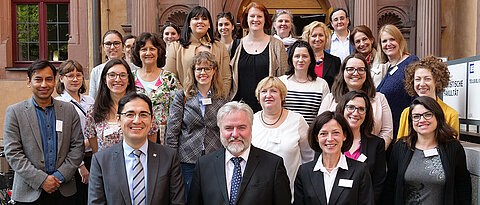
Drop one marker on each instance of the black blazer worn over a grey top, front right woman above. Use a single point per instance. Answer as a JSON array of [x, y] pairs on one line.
[[458, 187]]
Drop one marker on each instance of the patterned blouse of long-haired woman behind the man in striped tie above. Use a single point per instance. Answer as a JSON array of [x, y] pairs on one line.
[[105, 136]]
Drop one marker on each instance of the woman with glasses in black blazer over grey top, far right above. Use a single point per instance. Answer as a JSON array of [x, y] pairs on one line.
[[428, 166]]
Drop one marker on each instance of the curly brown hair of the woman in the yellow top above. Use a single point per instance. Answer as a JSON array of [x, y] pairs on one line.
[[439, 71]]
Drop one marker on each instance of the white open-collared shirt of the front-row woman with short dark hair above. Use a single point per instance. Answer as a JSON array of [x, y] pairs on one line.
[[329, 178]]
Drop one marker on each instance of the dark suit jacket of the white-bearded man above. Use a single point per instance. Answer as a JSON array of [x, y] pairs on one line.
[[264, 182]]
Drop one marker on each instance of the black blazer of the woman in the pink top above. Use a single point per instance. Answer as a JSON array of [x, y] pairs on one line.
[[374, 149]]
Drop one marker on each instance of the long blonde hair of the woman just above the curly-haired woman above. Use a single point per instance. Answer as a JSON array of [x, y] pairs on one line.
[[397, 35]]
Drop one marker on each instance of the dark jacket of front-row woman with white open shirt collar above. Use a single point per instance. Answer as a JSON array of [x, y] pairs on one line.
[[310, 187]]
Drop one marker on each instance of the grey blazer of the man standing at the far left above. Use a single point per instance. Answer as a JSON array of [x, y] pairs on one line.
[[24, 150]]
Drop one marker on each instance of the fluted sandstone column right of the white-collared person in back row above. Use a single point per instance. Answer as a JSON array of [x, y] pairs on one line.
[[365, 13]]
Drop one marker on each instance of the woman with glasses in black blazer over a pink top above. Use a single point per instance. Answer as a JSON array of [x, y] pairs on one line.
[[357, 110]]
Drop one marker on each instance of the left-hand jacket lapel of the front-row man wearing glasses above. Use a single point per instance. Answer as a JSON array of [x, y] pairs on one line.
[[123, 180]]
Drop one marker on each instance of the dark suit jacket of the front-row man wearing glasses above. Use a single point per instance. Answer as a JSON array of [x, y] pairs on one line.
[[109, 184]]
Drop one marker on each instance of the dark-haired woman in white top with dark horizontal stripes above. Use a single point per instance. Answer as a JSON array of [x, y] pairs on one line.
[[305, 89]]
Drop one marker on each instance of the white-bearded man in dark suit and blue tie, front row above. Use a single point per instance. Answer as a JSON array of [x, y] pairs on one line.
[[239, 173]]
